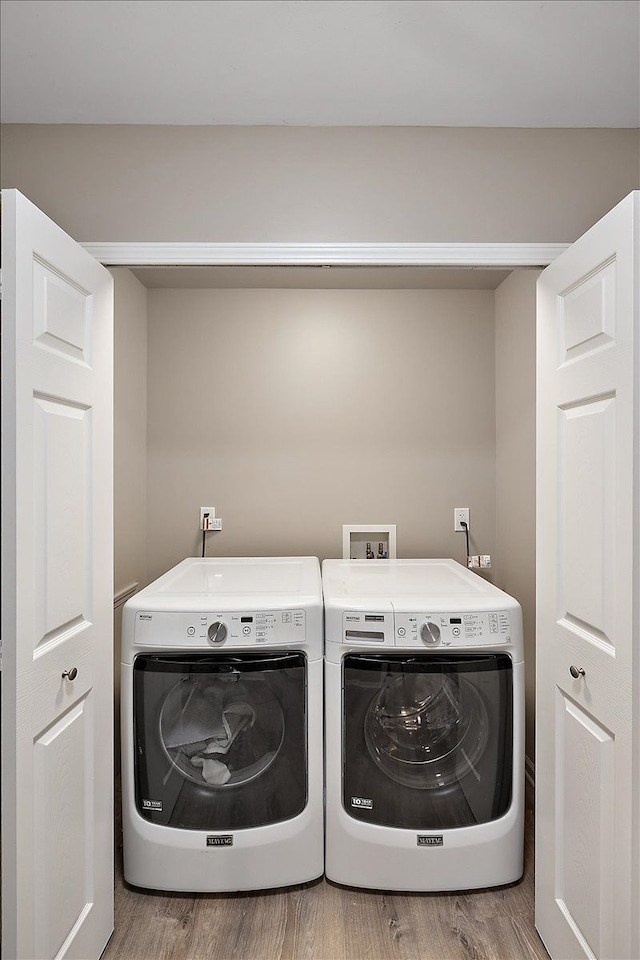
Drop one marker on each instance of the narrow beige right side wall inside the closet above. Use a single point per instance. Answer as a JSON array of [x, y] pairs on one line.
[[515, 344]]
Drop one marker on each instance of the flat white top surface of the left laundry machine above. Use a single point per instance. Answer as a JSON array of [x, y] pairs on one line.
[[196, 582]]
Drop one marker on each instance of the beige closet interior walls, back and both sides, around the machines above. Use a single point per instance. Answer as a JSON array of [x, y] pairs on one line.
[[295, 411]]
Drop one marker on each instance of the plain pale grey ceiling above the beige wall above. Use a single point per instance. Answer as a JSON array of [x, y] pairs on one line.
[[479, 63]]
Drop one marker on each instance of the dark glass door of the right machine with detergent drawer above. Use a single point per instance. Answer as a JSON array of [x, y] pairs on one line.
[[427, 740]]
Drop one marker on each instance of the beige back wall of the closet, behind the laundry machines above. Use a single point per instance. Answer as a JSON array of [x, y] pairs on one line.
[[295, 411]]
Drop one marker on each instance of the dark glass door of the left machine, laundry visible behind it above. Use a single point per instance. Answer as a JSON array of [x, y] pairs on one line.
[[220, 740]]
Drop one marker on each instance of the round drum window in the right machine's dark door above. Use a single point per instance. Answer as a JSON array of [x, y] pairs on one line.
[[426, 730]]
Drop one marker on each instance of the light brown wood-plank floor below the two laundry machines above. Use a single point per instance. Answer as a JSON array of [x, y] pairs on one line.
[[324, 921]]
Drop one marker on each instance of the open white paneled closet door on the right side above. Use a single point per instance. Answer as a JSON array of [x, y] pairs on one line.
[[588, 578]]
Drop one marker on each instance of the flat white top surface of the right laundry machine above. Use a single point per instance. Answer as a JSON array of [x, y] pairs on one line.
[[423, 582]]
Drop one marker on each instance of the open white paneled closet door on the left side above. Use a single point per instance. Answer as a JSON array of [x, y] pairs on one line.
[[57, 593]]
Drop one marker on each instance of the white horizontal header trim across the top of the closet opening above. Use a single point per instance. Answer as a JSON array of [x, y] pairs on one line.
[[334, 254]]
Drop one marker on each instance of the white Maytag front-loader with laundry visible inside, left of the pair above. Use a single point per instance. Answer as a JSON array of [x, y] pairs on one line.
[[222, 760]]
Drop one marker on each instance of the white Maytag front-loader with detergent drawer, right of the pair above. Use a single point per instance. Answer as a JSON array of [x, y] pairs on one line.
[[424, 738]]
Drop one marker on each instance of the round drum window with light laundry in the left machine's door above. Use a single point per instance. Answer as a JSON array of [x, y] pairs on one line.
[[221, 731]]
